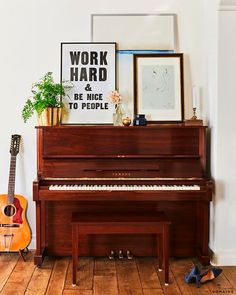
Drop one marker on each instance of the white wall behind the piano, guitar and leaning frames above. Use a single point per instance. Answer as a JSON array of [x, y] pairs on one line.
[[31, 32]]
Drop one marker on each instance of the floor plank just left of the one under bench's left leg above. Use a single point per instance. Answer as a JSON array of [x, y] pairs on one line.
[[58, 277]]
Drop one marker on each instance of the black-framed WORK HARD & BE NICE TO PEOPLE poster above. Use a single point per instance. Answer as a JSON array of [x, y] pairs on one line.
[[91, 69]]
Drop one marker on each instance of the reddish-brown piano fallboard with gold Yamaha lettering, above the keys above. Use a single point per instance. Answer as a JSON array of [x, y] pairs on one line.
[[126, 167]]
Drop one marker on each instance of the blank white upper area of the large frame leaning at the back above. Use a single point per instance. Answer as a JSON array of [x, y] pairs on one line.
[[135, 31]]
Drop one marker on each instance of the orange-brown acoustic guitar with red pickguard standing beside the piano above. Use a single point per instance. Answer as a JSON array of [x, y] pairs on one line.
[[15, 233]]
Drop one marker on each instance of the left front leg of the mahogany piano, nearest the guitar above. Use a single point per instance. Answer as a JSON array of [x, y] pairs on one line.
[[40, 233]]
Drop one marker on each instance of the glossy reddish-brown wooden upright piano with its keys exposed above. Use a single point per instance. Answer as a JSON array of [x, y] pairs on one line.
[[95, 169]]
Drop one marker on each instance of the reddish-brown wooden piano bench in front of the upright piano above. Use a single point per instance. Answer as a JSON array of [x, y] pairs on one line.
[[125, 223]]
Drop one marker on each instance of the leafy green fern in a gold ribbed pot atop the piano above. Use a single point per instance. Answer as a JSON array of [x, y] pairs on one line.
[[46, 100]]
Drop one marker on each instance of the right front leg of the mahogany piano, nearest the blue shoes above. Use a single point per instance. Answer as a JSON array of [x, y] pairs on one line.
[[203, 252]]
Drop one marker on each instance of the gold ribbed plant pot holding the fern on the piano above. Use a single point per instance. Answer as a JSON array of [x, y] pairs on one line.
[[50, 117]]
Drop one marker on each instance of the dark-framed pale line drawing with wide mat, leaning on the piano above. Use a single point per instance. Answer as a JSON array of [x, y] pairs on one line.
[[159, 87]]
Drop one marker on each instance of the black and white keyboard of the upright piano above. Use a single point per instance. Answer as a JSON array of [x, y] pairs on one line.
[[123, 187]]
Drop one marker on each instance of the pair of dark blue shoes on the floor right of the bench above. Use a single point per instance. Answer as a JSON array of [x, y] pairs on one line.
[[196, 277]]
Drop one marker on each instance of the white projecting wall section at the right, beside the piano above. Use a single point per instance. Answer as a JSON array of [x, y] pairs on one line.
[[224, 141]]
